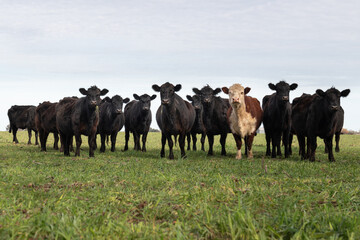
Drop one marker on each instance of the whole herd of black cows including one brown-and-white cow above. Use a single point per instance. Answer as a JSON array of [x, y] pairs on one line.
[[309, 116]]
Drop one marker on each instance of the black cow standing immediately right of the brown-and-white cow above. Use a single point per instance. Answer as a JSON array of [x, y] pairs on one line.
[[277, 118]]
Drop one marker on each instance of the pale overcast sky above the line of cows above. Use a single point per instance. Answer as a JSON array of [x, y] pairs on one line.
[[50, 49]]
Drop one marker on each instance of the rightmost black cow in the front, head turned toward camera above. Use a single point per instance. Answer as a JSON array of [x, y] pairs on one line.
[[316, 115]]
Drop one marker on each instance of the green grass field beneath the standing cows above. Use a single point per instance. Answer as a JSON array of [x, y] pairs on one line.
[[128, 195]]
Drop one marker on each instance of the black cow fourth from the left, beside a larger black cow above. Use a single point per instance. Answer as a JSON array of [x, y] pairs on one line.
[[111, 119]]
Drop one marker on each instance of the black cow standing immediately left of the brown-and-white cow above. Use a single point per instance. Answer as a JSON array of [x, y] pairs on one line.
[[214, 116]]
